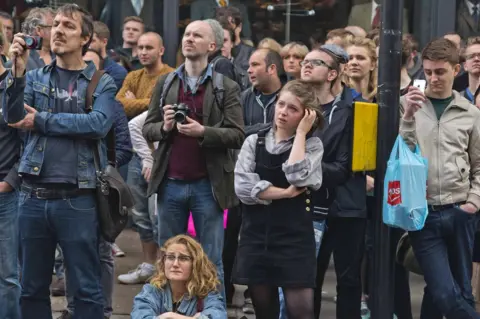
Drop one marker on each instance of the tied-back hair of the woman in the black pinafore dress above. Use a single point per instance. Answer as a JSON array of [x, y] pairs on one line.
[[307, 95]]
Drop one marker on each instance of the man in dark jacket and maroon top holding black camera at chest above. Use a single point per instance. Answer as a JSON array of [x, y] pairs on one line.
[[193, 165]]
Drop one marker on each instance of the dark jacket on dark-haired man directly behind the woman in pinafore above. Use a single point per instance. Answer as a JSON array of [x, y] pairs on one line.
[[255, 115]]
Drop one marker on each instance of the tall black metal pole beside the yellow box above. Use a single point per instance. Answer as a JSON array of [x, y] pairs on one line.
[[388, 118]]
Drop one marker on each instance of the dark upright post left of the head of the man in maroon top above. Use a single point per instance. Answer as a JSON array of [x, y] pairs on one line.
[[170, 31]]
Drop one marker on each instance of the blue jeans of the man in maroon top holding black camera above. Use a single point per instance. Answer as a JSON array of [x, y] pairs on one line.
[[175, 200]]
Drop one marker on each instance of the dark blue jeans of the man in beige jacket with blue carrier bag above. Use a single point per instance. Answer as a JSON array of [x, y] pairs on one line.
[[443, 249]]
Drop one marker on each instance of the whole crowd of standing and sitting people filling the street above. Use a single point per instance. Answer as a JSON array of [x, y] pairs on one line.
[[260, 135]]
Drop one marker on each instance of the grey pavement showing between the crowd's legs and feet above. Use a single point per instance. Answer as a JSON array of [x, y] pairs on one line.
[[124, 294]]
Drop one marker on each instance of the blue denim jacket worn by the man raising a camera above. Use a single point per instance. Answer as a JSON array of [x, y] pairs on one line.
[[36, 89]]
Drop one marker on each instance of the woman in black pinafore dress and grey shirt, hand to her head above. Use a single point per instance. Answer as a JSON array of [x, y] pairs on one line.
[[275, 173]]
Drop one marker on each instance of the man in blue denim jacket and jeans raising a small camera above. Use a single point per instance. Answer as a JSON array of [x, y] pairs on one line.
[[57, 201]]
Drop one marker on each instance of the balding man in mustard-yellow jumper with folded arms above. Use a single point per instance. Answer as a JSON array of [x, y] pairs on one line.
[[138, 85]]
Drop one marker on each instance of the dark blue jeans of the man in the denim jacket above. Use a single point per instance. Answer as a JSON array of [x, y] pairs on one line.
[[71, 222]]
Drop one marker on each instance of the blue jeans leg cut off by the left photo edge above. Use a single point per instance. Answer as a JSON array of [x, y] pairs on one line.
[[9, 285]]
